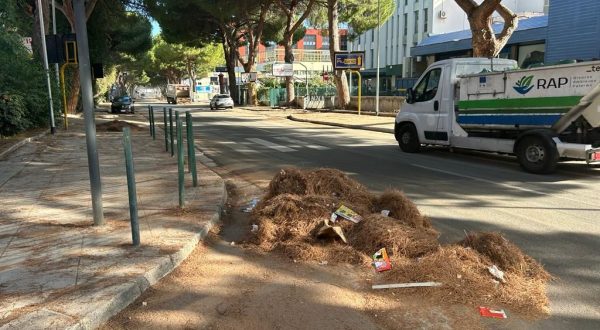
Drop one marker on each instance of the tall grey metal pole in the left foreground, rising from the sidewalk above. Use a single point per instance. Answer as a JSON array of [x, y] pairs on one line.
[[87, 98]]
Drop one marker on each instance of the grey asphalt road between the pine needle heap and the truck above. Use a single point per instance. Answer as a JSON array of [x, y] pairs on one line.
[[554, 218]]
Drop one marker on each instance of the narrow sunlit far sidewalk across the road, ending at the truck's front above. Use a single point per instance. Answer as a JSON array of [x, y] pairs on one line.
[[337, 118]]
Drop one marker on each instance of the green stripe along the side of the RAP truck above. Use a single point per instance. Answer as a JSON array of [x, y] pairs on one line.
[[524, 103]]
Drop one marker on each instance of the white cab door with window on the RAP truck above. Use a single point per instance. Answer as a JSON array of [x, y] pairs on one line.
[[427, 103]]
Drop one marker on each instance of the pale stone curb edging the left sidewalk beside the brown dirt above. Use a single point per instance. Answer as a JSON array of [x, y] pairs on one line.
[[134, 288]]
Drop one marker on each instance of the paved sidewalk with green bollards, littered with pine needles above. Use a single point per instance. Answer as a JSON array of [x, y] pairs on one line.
[[58, 271]]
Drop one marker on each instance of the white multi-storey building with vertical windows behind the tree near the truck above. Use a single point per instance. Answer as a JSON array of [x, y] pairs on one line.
[[413, 21]]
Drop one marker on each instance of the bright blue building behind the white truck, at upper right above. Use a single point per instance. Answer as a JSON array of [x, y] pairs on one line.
[[570, 31]]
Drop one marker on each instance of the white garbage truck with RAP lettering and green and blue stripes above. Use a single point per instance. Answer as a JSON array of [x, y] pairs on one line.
[[541, 115]]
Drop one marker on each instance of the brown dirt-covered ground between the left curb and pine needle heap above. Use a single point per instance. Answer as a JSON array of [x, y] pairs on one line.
[[228, 285]]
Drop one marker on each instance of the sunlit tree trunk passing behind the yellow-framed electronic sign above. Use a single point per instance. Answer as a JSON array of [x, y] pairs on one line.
[[341, 83]]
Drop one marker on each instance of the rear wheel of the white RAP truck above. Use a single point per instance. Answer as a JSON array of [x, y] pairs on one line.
[[537, 154]]
